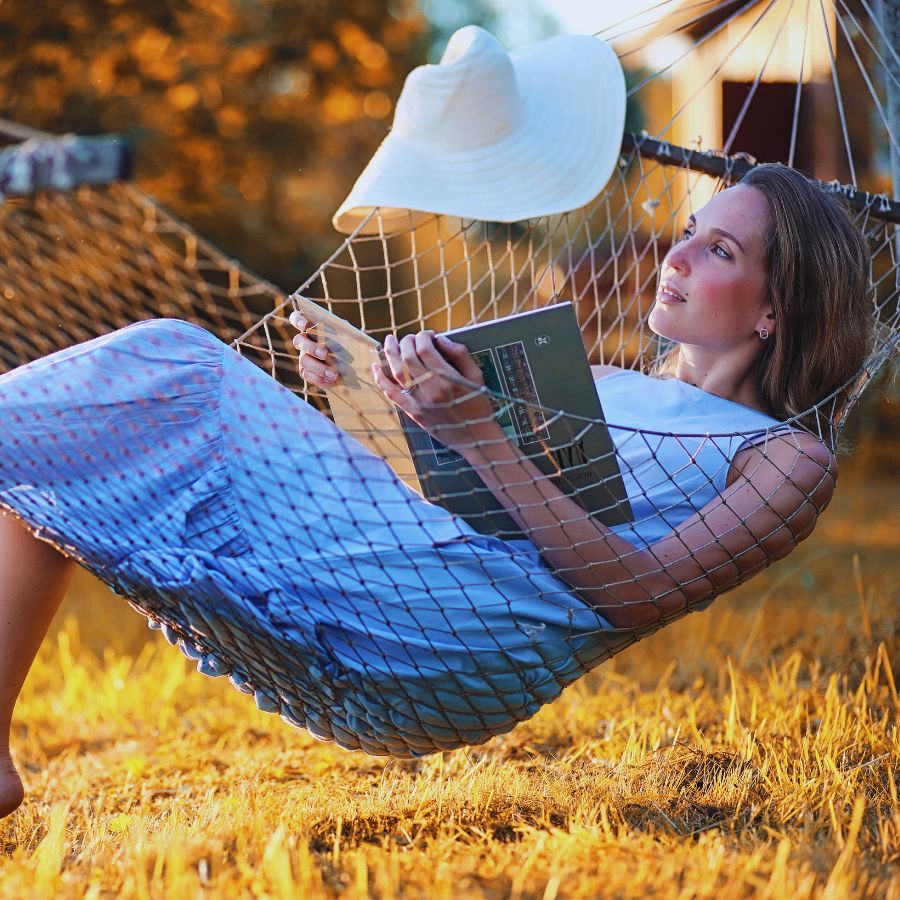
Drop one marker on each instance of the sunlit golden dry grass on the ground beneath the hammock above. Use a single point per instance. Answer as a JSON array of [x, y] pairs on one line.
[[748, 751]]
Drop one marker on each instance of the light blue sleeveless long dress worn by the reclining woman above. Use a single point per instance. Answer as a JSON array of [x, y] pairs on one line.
[[277, 550]]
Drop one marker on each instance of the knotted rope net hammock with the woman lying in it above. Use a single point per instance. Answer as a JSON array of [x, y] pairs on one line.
[[268, 544]]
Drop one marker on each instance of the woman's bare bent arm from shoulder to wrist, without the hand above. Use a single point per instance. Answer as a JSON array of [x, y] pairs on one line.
[[759, 518]]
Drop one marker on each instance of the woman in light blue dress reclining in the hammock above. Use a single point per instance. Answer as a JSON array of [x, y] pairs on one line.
[[240, 517]]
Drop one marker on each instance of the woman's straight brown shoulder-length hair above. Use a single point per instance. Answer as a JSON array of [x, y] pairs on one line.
[[817, 267]]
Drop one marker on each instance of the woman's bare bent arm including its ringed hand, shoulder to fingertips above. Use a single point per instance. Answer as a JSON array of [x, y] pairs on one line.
[[770, 507]]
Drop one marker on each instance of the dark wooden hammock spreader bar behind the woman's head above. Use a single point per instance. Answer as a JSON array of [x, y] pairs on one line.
[[732, 168]]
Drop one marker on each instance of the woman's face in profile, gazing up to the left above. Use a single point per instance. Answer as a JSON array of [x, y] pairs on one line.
[[712, 291]]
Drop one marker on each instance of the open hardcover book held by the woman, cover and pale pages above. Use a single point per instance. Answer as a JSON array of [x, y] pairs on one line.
[[534, 365]]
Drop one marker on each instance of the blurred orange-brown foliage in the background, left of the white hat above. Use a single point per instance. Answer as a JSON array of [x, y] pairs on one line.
[[252, 118]]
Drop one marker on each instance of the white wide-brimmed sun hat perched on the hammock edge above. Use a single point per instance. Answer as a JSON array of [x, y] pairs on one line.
[[496, 136]]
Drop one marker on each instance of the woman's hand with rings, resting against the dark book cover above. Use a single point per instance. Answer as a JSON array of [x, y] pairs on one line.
[[424, 378]]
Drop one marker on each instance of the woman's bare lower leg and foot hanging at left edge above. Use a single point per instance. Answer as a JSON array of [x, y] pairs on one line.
[[33, 580]]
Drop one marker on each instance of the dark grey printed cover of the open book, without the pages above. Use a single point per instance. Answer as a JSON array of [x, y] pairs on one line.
[[534, 364]]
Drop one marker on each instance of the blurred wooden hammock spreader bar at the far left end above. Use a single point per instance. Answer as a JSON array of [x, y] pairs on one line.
[[64, 163]]
